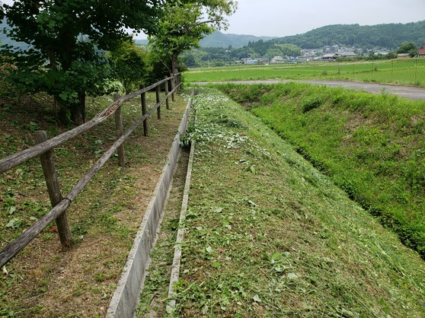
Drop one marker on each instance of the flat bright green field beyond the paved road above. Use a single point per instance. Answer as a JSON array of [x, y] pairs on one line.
[[401, 72]]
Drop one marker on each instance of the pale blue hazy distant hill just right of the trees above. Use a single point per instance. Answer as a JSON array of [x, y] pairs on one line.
[[218, 39]]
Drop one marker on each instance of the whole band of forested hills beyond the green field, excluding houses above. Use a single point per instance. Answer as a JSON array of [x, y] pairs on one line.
[[361, 38]]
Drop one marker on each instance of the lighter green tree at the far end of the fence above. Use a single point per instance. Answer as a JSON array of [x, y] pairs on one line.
[[187, 22]]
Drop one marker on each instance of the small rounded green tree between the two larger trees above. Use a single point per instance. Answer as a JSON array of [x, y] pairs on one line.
[[129, 64]]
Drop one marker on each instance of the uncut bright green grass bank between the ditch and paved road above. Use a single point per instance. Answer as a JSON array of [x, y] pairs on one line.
[[371, 145]]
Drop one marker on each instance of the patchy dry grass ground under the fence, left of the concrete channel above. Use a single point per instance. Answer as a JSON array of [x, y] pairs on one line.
[[43, 280]]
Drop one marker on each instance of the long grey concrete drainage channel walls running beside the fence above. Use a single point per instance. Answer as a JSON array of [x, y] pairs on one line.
[[126, 296]]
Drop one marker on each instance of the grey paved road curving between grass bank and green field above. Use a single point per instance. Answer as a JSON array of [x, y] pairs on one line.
[[414, 93]]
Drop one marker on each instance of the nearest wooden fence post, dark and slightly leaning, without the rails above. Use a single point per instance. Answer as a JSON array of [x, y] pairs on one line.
[[53, 188]]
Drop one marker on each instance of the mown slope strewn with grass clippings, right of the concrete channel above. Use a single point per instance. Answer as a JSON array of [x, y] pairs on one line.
[[269, 236]]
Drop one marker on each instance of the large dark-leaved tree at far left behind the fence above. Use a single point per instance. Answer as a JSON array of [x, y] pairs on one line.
[[67, 41]]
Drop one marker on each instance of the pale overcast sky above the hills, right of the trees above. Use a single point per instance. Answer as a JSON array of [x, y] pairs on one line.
[[282, 18]]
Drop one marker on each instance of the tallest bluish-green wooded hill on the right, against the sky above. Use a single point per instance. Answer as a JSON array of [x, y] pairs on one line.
[[382, 35]]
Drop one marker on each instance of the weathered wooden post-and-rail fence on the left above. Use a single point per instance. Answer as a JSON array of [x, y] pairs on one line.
[[44, 149]]
